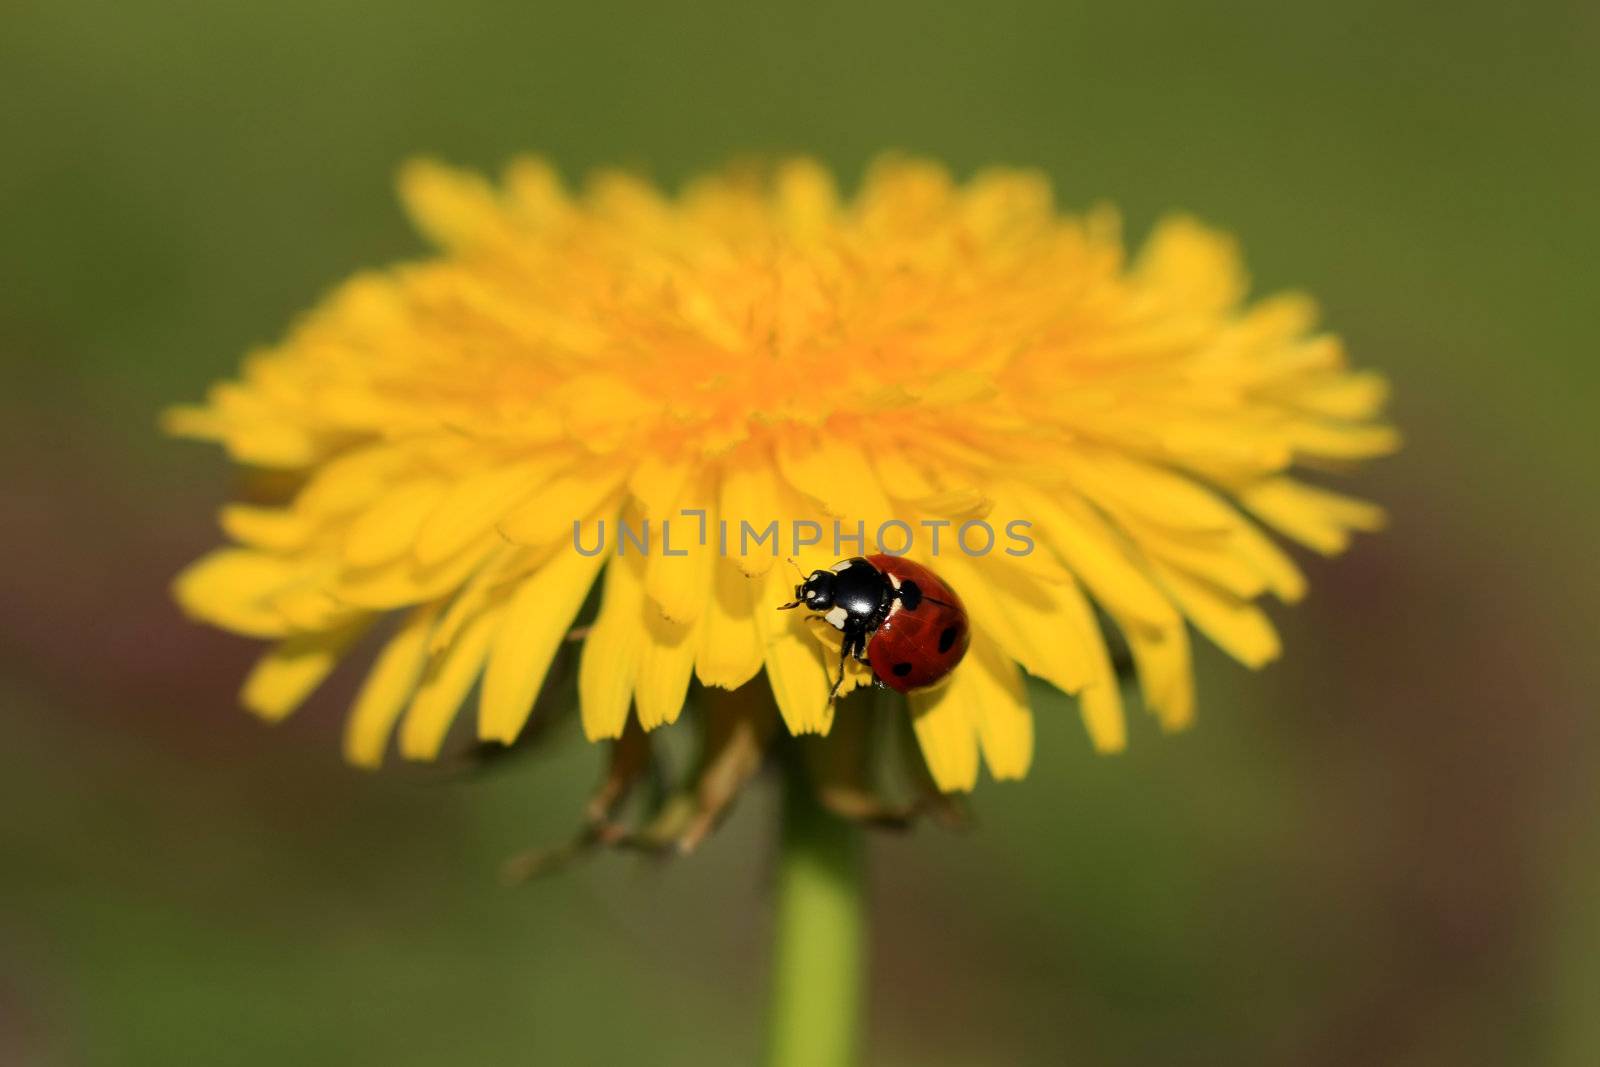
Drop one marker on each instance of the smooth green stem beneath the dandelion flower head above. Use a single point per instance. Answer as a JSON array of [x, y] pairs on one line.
[[818, 953]]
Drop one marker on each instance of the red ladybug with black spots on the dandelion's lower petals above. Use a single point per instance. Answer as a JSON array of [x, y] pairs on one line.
[[897, 617]]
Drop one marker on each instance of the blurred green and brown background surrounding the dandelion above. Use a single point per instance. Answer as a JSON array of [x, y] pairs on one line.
[[1380, 850]]
